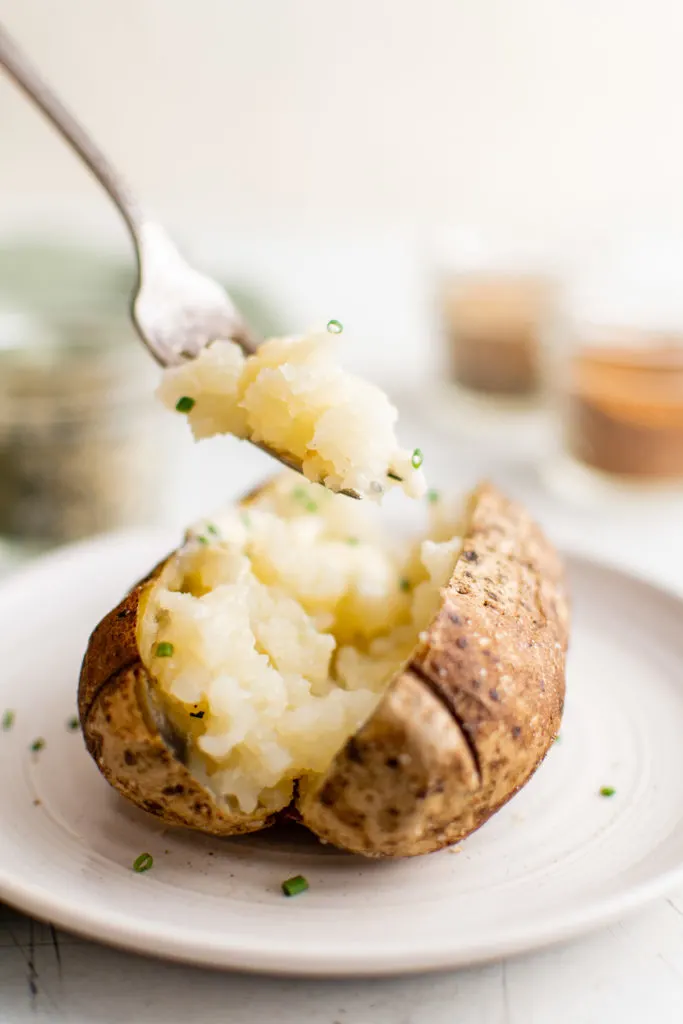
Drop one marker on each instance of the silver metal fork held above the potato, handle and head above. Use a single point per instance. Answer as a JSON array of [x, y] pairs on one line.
[[177, 310]]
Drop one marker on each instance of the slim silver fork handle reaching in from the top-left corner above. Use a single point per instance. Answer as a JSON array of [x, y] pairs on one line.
[[29, 79]]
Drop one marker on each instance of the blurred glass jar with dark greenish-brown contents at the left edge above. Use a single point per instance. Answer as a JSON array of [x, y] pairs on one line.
[[80, 446]]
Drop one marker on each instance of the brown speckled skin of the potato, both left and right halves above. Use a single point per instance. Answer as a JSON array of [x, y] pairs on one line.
[[454, 738]]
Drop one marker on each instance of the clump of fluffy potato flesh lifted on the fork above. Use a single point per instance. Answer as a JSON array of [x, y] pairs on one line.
[[293, 397]]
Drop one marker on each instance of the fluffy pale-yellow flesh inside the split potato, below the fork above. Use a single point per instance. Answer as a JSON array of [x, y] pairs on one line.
[[272, 634]]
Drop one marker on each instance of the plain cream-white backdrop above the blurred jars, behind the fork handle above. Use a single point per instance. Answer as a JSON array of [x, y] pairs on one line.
[[535, 116]]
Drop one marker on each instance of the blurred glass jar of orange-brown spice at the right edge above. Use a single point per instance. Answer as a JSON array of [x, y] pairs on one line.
[[617, 374]]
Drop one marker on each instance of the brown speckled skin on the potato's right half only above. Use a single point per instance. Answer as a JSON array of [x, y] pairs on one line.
[[494, 661]]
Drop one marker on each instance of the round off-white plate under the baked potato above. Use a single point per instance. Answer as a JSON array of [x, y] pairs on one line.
[[559, 861]]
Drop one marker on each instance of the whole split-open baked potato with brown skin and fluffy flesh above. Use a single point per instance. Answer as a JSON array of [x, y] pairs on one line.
[[286, 663]]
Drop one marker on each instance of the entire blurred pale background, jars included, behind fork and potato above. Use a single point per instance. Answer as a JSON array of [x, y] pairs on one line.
[[489, 195]]
